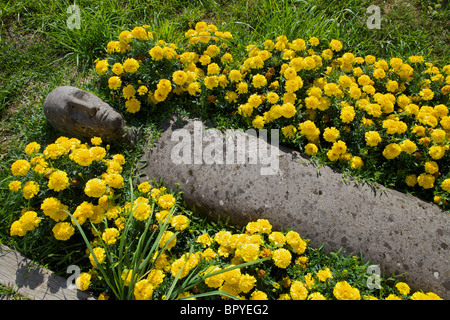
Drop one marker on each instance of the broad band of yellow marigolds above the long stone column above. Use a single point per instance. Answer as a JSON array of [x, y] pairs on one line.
[[388, 112]]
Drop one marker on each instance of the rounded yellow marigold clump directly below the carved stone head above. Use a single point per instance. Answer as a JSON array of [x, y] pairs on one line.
[[59, 172]]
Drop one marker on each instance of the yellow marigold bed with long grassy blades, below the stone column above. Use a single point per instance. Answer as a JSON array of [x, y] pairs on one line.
[[143, 244]]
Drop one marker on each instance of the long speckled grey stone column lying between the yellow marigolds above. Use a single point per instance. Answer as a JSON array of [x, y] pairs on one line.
[[394, 230]]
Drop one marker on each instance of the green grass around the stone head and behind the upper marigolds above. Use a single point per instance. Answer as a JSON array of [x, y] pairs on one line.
[[39, 52]]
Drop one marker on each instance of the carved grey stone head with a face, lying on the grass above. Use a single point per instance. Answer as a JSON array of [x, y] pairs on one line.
[[81, 114]]
